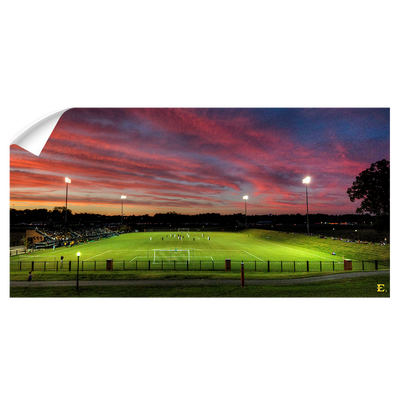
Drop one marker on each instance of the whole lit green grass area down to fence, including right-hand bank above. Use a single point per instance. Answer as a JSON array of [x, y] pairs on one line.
[[254, 247]]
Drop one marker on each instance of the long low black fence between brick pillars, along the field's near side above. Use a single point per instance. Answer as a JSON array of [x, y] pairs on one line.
[[197, 265]]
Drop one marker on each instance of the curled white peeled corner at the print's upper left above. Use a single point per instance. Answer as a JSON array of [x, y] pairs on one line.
[[34, 138]]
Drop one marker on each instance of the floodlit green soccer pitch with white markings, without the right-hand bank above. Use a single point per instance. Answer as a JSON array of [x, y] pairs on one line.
[[157, 246]]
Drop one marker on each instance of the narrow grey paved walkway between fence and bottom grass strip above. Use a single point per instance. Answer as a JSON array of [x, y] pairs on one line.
[[198, 282]]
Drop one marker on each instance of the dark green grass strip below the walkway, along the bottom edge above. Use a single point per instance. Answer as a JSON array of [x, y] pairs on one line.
[[364, 288]]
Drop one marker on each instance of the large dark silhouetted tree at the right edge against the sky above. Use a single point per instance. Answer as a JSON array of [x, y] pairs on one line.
[[375, 187]]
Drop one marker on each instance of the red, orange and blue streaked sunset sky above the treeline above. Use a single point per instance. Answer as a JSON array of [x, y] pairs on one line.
[[200, 159]]
